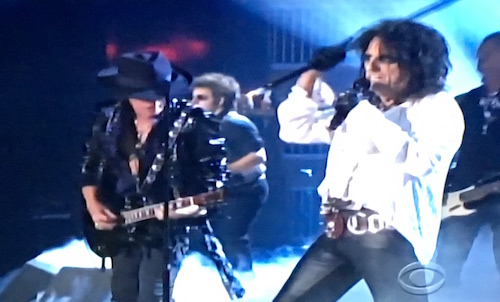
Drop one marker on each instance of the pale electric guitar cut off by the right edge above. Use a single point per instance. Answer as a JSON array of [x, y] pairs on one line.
[[456, 201]]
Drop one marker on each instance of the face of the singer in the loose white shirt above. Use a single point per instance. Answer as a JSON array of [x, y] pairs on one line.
[[386, 77]]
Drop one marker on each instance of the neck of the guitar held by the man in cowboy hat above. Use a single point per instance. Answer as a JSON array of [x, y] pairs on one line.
[[148, 212]]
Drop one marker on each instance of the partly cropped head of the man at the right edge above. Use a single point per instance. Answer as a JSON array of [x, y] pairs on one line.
[[488, 64]]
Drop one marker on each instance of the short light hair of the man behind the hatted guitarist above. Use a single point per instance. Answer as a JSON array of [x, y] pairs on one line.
[[221, 85]]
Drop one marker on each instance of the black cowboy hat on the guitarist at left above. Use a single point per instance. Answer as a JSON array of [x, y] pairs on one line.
[[146, 75]]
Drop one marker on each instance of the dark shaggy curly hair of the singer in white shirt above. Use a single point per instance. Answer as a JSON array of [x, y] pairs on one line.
[[419, 49]]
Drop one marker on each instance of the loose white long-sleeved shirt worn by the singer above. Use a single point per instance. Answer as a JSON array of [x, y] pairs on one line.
[[392, 162]]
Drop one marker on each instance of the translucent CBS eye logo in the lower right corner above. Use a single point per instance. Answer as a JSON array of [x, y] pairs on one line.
[[418, 279]]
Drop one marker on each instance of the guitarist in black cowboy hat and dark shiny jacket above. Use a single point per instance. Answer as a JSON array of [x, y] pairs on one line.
[[126, 166]]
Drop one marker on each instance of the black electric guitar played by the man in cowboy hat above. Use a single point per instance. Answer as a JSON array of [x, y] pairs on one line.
[[108, 243]]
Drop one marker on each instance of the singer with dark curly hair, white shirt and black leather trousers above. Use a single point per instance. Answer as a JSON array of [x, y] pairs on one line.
[[391, 160]]
